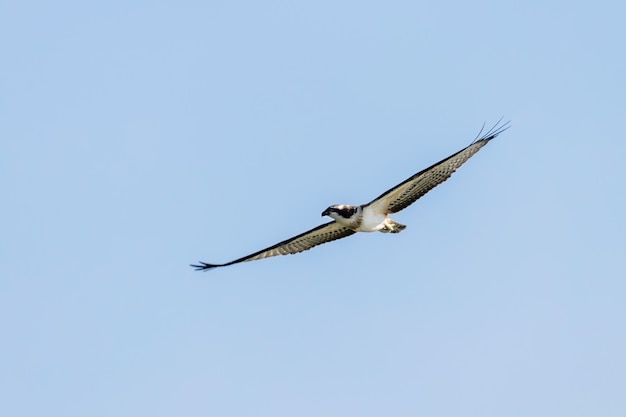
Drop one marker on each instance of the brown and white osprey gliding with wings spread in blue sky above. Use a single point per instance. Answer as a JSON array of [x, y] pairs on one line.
[[373, 216]]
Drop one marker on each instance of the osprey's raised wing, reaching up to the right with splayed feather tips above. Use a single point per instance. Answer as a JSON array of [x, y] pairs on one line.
[[406, 193]]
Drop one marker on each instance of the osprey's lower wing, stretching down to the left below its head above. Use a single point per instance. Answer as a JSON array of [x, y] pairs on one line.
[[321, 234]]
